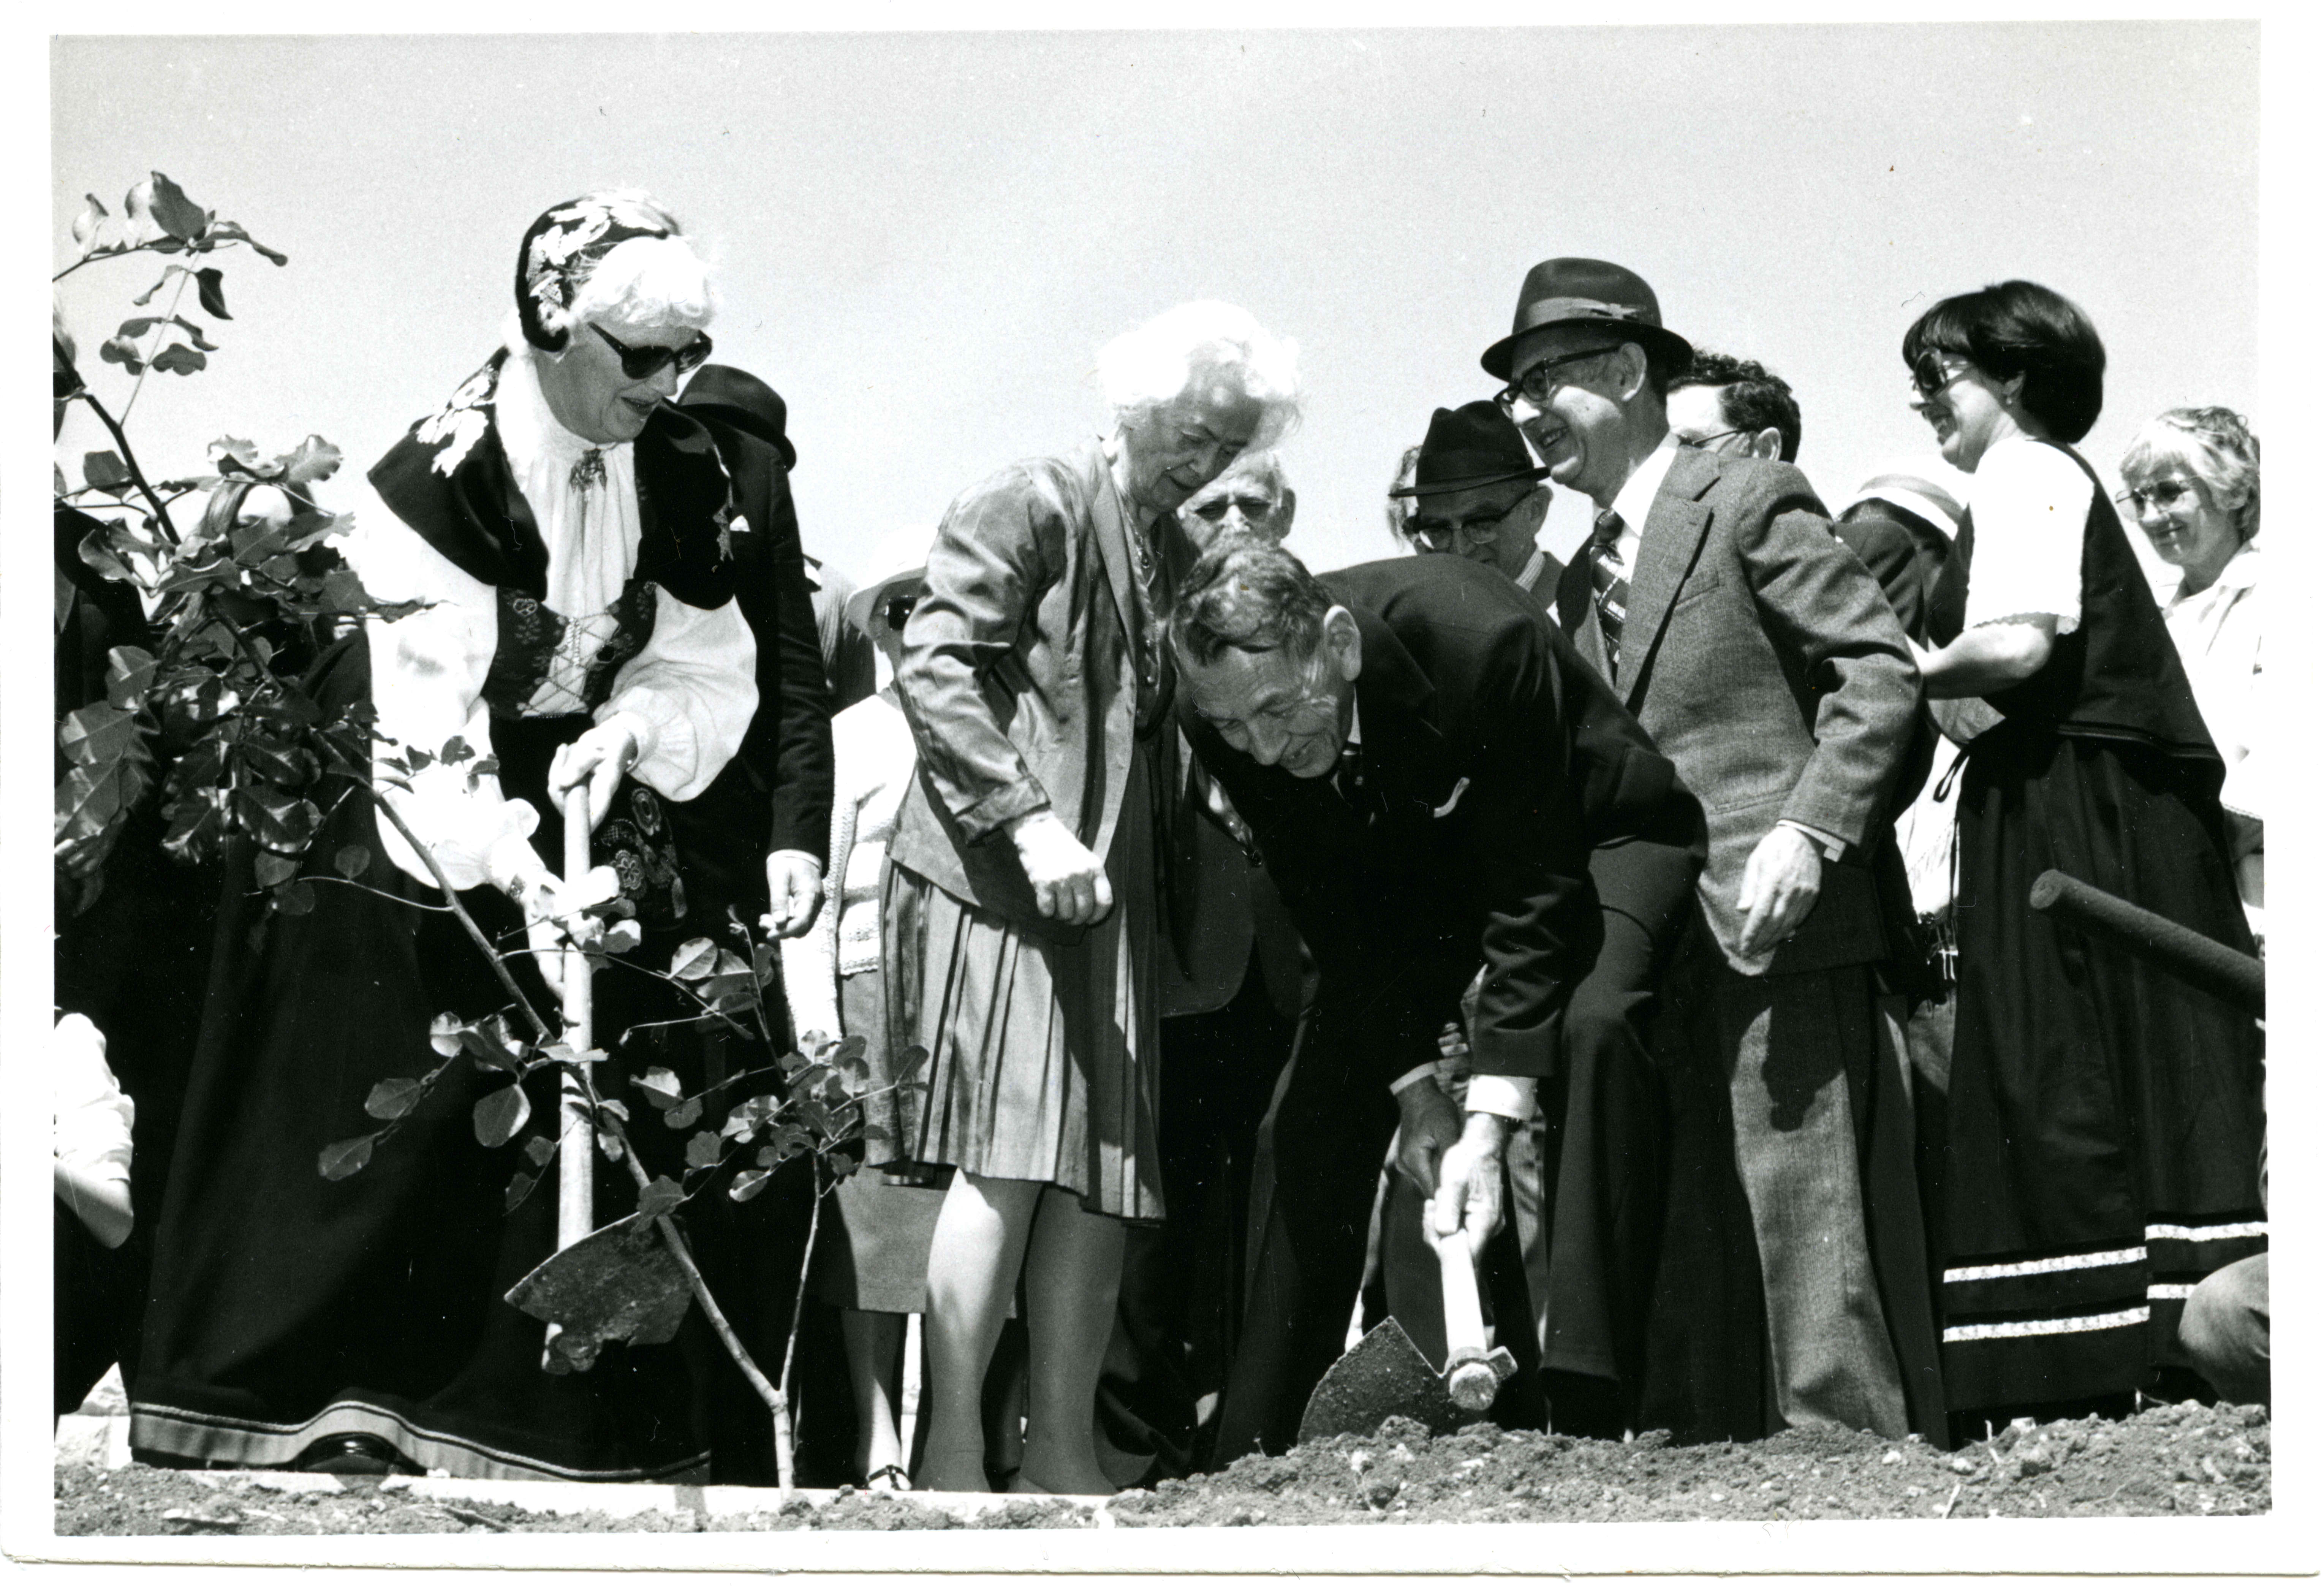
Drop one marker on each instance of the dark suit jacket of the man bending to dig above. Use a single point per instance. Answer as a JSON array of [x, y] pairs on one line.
[[1470, 709]]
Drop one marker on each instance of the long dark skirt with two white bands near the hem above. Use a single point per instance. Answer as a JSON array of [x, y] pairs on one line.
[[2104, 1120]]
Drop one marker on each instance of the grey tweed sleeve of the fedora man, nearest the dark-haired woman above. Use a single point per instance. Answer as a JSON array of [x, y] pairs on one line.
[[1828, 617]]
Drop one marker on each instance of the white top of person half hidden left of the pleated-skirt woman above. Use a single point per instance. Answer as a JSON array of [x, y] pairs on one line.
[[873, 765]]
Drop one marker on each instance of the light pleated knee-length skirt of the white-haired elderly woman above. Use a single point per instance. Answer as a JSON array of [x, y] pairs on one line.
[[1042, 1055]]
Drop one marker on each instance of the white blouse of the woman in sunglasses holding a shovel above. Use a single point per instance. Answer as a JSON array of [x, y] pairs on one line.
[[691, 691]]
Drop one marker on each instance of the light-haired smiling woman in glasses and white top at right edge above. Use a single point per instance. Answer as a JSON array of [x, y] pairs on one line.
[[2193, 482]]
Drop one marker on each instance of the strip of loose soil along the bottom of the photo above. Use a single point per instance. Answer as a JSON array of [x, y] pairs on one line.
[[2172, 1459]]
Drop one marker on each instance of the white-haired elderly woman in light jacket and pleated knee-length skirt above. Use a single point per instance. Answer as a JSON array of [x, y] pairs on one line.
[[1021, 911]]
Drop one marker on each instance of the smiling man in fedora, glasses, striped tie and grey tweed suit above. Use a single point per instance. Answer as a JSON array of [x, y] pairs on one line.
[[1765, 663]]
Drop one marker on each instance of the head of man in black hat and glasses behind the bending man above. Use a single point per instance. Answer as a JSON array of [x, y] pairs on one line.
[[1477, 493]]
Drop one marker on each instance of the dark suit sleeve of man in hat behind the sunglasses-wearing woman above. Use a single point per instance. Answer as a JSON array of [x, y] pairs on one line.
[[794, 702]]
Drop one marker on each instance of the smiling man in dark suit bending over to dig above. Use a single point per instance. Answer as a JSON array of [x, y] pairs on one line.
[[1405, 742]]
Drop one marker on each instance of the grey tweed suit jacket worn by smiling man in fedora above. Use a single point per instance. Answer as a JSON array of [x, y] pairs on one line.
[[1767, 665]]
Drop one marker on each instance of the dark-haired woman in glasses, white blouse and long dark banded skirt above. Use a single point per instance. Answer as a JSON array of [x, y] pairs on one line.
[[2104, 1120]]
